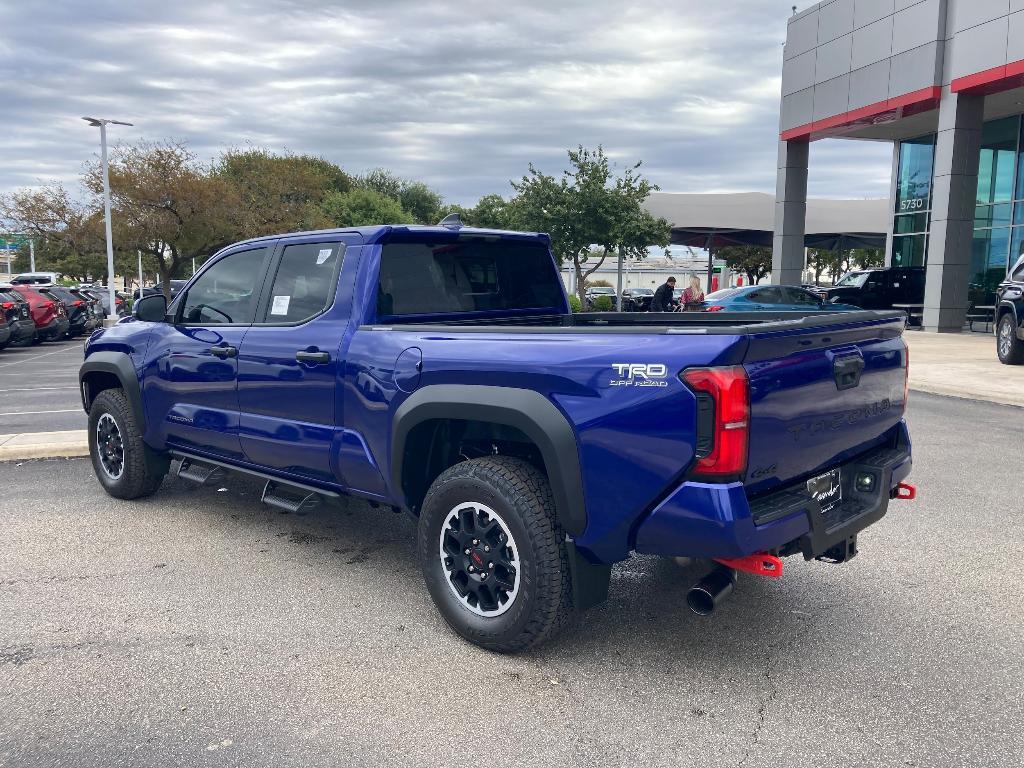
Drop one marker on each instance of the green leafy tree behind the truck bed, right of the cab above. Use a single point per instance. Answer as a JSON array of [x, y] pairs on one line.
[[588, 206]]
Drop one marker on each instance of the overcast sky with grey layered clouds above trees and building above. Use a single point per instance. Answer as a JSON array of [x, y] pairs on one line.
[[462, 96]]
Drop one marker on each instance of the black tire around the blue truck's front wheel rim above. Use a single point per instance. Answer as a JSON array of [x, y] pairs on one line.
[[144, 468]]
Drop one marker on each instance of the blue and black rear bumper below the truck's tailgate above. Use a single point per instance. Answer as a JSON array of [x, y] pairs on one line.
[[717, 521]]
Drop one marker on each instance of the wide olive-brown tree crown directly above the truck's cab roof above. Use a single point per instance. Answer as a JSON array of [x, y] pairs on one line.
[[279, 193]]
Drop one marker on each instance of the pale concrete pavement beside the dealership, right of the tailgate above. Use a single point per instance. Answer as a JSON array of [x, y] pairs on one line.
[[963, 366]]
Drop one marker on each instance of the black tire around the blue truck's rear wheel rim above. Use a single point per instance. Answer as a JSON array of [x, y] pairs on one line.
[[521, 495]]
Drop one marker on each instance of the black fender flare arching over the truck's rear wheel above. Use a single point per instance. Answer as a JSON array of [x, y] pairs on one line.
[[530, 412]]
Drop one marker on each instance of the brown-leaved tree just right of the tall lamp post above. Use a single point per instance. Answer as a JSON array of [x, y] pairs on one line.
[[167, 205]]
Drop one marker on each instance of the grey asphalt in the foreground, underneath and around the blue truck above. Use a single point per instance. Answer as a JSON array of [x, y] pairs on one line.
[[200, 628]]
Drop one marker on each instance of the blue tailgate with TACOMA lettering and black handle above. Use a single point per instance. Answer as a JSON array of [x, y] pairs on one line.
[[822, 395]]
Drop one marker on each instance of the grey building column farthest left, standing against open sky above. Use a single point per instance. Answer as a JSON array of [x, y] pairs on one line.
[[791, 214]]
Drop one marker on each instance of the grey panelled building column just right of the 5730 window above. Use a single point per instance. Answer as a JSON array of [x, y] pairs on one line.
[[955, 185]]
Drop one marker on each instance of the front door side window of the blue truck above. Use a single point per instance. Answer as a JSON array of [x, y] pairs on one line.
[[226, 293]]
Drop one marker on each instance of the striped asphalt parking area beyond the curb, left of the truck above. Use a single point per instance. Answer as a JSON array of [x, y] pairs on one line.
[[39, 388]]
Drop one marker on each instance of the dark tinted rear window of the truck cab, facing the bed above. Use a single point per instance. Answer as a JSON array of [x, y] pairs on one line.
[[445, 275]]
